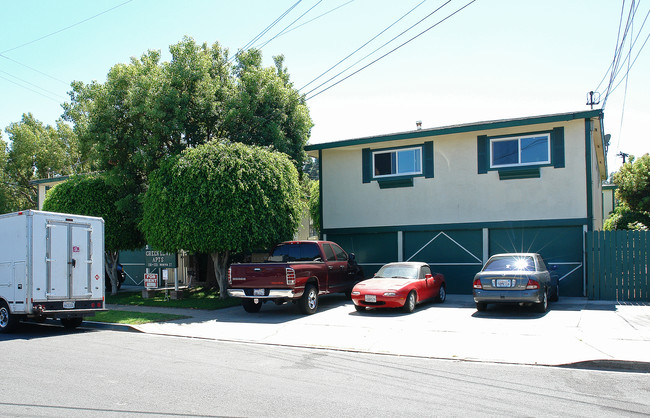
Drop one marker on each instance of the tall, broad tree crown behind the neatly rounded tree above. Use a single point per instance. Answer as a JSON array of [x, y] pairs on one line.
[[148, 109]]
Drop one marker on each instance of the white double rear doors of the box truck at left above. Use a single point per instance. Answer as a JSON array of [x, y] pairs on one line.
[[69, 259]]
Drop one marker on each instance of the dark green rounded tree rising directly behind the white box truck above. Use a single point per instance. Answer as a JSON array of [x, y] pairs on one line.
[[96, 195]]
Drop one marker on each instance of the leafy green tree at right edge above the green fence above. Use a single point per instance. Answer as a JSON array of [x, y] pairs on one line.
[[633, 194]]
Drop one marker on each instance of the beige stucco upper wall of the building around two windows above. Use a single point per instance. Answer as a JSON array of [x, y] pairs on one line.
[[457, 194]]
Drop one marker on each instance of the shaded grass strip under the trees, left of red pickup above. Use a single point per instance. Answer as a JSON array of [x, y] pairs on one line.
[[195, 298]]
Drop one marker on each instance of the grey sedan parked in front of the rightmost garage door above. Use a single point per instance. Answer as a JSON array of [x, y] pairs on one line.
[[515, 277]]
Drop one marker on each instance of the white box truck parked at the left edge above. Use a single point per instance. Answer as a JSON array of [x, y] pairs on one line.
[[51, 266]]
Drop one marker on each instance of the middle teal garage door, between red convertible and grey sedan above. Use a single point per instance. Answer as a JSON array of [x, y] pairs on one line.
[[457, 254]]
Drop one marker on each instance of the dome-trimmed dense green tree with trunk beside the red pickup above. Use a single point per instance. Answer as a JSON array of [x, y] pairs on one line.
[[221, 198]]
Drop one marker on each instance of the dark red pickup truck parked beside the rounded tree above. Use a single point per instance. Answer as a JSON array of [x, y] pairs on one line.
[[297, 271]]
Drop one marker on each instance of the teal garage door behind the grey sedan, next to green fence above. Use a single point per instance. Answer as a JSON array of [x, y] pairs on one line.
[[560, 246]]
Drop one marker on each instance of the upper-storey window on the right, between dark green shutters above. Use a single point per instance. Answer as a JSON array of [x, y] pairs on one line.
[[518, 151]]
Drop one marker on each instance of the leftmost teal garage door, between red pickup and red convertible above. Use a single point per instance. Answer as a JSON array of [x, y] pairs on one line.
[[371, 250]]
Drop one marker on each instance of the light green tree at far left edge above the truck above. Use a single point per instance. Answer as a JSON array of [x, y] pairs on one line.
[[37, 151]]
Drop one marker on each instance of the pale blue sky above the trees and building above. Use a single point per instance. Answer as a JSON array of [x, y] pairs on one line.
[[495, 59]]
